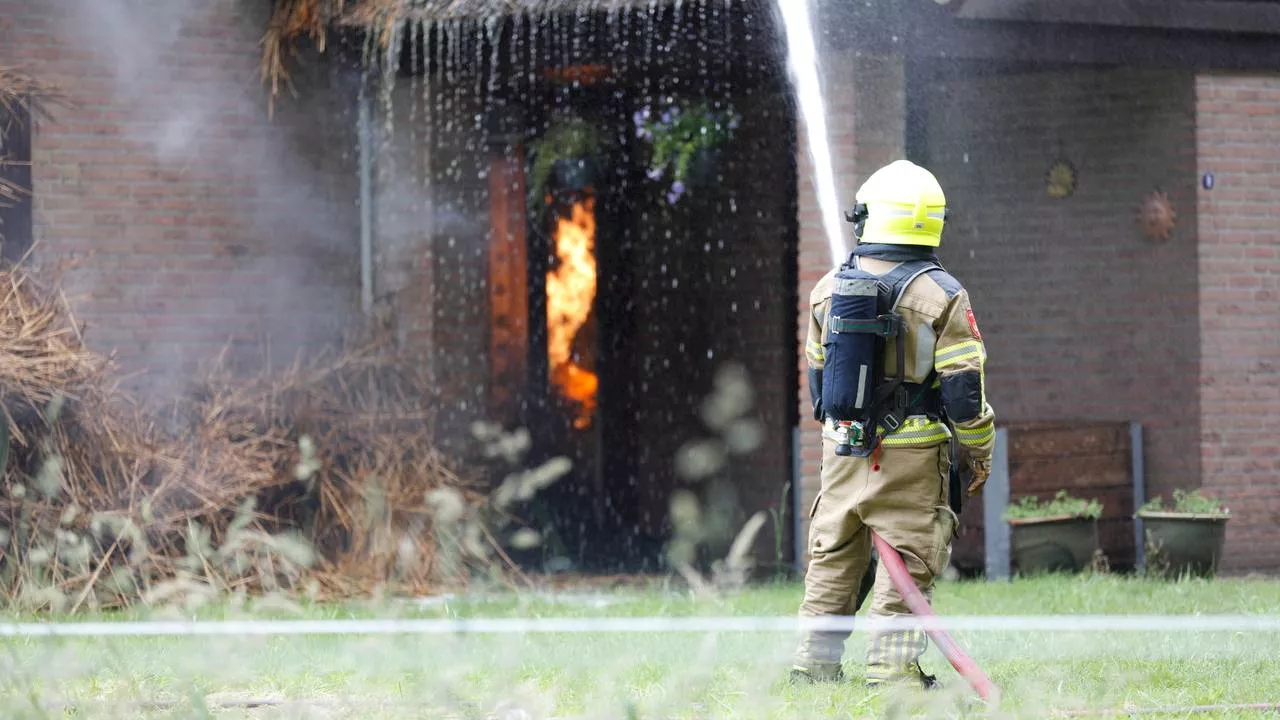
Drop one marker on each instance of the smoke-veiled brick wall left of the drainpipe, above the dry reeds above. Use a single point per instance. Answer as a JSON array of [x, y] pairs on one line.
[[198, 222]]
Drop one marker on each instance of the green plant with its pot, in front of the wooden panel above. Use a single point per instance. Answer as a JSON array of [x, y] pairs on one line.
[[1060, 535]]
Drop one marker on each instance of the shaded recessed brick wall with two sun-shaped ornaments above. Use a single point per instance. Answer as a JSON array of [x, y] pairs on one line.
[[1085, 318]]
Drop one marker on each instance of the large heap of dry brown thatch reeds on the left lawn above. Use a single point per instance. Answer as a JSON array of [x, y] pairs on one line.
[[319, 480]]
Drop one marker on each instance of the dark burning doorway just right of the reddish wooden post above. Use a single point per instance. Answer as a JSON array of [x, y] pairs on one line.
[[578, 377]]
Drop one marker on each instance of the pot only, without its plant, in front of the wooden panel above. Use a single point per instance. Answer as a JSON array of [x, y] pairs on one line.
[[1063, 544]]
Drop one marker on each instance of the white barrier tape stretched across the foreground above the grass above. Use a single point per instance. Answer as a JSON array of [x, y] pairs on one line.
[[523, 626]]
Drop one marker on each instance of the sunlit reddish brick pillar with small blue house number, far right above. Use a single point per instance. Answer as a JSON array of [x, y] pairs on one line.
[[1238, 140]]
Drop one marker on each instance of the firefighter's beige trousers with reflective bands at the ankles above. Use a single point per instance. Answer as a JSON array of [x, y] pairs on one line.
[[906, 503]]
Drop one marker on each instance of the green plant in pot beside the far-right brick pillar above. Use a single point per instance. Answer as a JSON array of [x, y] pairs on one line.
[[1187, 539]]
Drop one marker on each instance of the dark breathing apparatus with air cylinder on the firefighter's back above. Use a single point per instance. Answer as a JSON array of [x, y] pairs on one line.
[[857, 394]]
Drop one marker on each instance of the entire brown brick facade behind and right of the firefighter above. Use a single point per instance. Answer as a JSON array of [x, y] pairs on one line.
[[1085, 317]]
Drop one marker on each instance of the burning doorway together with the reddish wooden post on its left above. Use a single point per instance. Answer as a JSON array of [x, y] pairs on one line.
[[561, 335]]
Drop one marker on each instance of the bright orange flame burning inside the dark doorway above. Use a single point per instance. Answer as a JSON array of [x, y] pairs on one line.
[[570, 295]]
